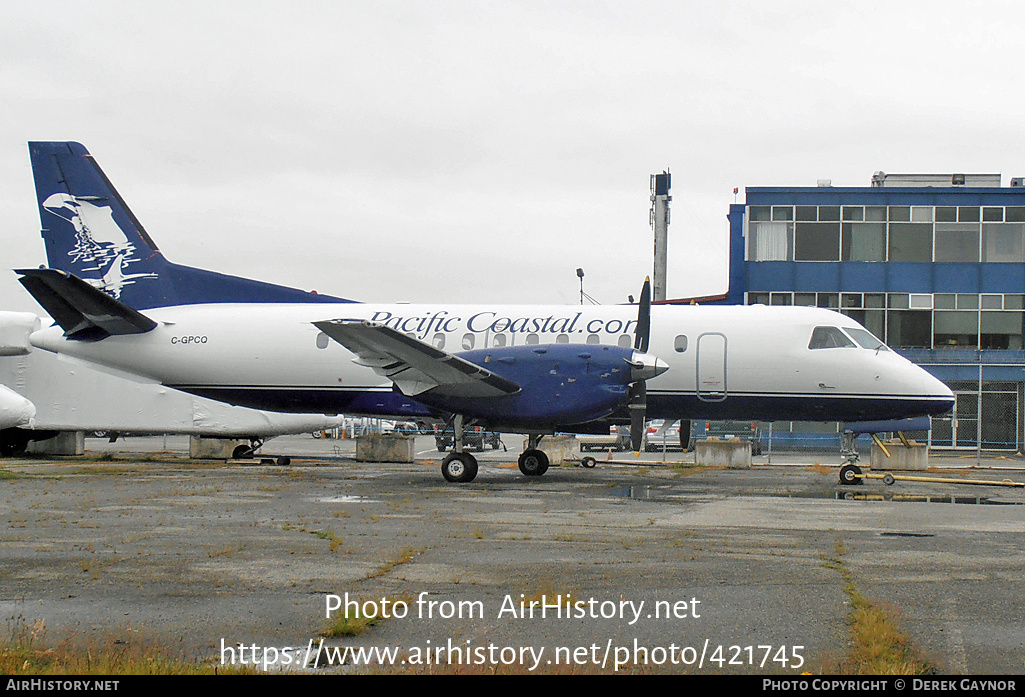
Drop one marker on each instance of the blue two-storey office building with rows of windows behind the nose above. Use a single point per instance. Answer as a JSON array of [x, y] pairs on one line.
[[933, 265]]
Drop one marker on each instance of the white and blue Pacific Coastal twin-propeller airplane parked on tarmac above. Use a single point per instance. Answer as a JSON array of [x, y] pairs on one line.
[[528, 370]]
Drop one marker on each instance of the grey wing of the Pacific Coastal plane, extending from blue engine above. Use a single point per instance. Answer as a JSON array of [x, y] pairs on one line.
[[415, 366]]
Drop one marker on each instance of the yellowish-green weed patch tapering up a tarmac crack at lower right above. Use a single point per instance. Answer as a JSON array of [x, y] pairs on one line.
[[879, 645]]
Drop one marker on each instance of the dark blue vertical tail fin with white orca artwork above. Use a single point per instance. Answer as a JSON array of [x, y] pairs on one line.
[[91, 233]]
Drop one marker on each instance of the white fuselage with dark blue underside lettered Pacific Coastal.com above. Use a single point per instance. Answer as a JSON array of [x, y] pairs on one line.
[[750, 362]]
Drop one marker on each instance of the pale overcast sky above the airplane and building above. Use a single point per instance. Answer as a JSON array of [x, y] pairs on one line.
[[481, 152]]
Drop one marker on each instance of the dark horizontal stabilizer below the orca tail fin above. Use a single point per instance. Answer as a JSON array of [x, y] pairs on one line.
[[86, 313]]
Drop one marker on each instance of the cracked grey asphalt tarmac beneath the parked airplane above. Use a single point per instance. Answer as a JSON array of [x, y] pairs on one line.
[[637, 566]]
